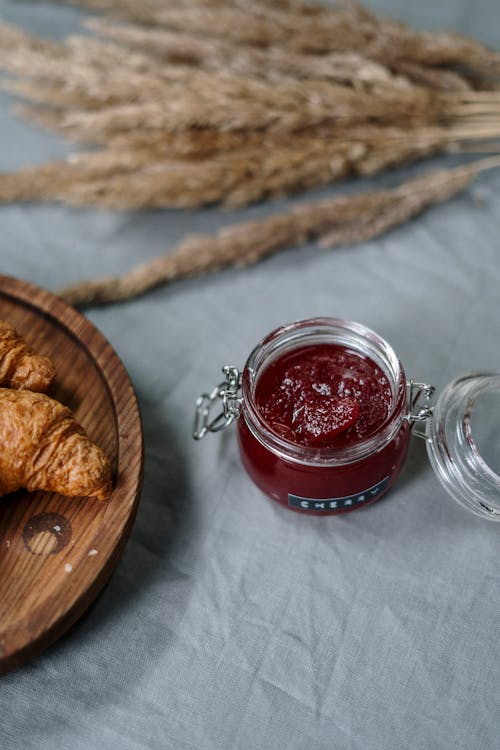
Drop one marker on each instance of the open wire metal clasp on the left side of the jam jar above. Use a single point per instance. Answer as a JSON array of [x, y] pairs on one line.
[[229, 392]]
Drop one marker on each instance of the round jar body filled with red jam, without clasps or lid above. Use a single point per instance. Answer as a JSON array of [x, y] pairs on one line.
[[323, 427]]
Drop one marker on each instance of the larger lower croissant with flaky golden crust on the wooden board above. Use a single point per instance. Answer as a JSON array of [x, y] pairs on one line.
[[44, 448]]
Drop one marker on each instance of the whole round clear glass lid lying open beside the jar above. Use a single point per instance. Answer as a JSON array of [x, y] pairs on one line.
[[463, 442]]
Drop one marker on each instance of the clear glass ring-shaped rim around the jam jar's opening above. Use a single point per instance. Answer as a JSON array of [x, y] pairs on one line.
[[324, 330]]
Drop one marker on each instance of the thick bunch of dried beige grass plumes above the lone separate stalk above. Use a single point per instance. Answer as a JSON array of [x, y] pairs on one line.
[[205, 101]]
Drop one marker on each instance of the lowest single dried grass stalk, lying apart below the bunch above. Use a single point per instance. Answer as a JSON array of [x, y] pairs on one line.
[[337, 221]]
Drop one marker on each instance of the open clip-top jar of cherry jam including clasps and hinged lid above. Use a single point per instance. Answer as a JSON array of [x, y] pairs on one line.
[[324, 414]]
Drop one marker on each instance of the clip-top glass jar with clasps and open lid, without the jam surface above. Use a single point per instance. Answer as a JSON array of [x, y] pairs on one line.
[[331, 480]]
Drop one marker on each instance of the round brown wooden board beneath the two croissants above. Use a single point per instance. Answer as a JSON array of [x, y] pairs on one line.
[[56, 553]]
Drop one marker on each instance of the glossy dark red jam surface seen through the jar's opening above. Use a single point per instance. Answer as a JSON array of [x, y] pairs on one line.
[[323, 395]]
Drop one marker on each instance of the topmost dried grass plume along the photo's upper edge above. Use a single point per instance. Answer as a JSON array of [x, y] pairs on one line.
[[319, 30]]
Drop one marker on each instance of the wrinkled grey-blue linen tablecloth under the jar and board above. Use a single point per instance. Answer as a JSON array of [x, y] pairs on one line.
[[231, 622]]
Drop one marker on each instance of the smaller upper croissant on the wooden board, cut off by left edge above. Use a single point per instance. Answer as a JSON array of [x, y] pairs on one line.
[[20, 367]]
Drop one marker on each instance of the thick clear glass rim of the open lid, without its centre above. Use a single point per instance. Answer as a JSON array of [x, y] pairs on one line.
[[453, 454]]
